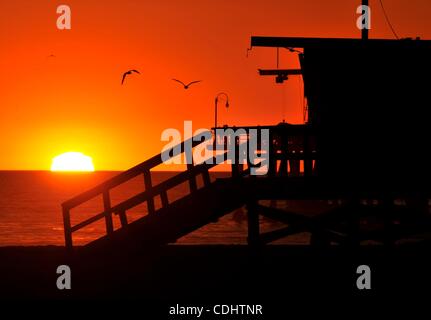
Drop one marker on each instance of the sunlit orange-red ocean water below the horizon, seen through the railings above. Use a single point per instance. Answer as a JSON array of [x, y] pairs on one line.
[[30, 210]]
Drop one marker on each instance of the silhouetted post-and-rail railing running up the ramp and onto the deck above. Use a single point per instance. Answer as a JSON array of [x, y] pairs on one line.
[[161, 189]]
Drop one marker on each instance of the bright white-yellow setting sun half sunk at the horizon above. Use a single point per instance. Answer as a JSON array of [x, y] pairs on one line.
[[72, 161]]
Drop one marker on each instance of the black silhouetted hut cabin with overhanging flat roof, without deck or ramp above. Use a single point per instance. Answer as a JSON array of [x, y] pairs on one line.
[[364, 101]]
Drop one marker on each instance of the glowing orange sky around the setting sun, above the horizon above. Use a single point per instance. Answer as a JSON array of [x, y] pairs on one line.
[[74, 102]]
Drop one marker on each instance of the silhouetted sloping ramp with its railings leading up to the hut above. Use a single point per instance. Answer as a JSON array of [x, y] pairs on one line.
[[174, 219]]
